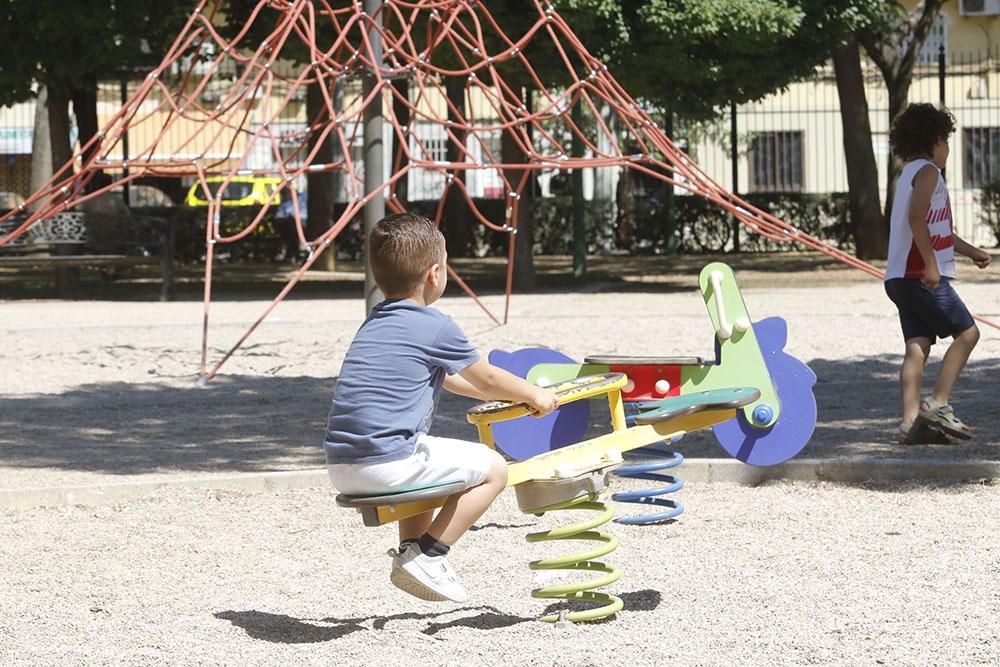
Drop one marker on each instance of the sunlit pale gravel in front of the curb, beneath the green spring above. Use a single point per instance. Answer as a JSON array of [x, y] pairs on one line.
[[783, 574]]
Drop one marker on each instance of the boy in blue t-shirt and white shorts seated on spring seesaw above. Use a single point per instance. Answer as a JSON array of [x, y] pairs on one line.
[[377, 436]]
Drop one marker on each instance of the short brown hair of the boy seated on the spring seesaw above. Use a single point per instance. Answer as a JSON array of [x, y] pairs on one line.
[[401, 248]]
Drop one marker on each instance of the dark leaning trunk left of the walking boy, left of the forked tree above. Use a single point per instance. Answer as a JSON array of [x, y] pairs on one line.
[[867, 222]]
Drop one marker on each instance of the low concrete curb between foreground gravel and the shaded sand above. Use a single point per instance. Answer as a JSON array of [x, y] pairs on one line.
[[696, 471]]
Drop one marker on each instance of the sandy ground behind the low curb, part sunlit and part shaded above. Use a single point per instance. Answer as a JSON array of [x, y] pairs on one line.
[[100, 392]]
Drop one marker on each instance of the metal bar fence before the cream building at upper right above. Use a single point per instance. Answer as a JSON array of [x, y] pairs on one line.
[[792, 141]]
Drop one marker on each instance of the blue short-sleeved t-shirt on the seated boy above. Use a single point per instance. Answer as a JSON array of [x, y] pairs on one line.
[[390, 381]]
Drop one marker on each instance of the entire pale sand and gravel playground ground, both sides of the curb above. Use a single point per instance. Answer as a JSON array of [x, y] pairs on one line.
[[786, 573]]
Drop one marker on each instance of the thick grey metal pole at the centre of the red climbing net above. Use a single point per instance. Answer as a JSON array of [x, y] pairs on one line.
[[374, 180]]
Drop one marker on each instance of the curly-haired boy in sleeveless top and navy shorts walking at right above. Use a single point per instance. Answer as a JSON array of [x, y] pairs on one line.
[[919, 271]]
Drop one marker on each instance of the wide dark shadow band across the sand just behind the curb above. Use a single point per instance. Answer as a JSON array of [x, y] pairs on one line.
[[253, 424]]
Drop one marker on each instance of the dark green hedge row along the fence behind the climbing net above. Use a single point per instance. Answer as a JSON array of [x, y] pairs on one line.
[[701, 226]]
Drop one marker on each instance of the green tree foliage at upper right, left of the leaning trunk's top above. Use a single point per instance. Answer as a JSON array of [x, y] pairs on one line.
[[693, 56]]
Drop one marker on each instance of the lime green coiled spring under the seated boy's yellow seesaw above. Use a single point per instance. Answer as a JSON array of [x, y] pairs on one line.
[[609, 604]]
